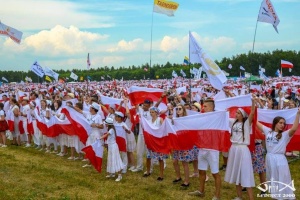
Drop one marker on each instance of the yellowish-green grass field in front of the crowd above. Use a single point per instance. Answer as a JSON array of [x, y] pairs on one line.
[[26, 173]]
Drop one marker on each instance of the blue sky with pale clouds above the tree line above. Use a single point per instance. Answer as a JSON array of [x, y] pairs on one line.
[[60, 33]]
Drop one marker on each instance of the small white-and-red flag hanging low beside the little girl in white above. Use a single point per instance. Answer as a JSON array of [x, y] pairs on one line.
[[94, 153]]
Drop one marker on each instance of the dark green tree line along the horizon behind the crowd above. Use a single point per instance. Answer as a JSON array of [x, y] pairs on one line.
[[250, 61]]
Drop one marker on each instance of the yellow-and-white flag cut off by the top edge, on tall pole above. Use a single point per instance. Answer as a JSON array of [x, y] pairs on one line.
[[165, 7]]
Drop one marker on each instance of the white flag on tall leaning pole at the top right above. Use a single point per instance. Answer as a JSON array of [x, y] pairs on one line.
[[268, 14]]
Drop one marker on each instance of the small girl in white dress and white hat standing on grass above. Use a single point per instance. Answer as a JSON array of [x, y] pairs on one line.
[[114, 161]]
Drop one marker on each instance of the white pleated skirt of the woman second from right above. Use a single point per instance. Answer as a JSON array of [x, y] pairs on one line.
[[239, 168]]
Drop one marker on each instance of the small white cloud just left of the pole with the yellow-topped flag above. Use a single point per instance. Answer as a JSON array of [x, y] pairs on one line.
[[129, 46]]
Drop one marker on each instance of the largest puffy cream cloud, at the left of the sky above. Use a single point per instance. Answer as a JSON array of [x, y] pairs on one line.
[[58, 41]]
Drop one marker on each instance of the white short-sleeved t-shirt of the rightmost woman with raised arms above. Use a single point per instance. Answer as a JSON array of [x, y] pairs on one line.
[[274, 145]]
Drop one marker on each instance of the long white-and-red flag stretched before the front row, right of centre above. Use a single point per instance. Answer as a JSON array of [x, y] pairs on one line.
[[208, 130]]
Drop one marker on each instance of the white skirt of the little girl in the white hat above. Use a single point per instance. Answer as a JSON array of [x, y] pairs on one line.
[[114, 162]]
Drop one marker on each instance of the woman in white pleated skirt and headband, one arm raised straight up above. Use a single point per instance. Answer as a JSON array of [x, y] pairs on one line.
[[239, 168]]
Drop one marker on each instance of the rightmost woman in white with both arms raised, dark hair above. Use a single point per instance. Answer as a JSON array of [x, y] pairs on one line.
[[278, 172]]
